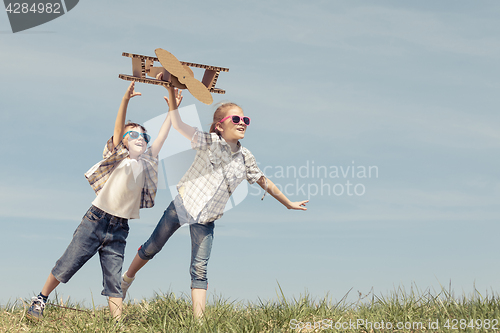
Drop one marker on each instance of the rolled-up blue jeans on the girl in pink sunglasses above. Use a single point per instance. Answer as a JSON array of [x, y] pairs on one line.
[[201, 244]]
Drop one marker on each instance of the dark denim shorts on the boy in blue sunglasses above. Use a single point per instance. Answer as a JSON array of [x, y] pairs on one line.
[[98, 232]]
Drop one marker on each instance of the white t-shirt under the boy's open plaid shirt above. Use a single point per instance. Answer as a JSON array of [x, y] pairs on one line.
[[121, 195]]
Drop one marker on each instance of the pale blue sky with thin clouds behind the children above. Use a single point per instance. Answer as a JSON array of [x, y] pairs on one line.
[[408, 88]]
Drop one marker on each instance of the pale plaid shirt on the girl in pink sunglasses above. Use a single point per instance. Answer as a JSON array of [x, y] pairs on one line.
[[214, 175]]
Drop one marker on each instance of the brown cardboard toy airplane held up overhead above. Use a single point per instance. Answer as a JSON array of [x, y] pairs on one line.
[[175, 73]]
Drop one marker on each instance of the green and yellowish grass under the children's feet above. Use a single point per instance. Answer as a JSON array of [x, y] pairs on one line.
[[405, 311]]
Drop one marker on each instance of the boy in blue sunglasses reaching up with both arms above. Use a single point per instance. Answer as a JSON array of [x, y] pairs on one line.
[[124, 181]]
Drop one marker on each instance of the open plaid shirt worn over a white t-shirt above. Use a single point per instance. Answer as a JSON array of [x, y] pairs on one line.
[[99, 173]]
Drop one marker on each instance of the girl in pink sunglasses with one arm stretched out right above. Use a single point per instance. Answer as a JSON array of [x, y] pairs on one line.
[[220, 165]]
